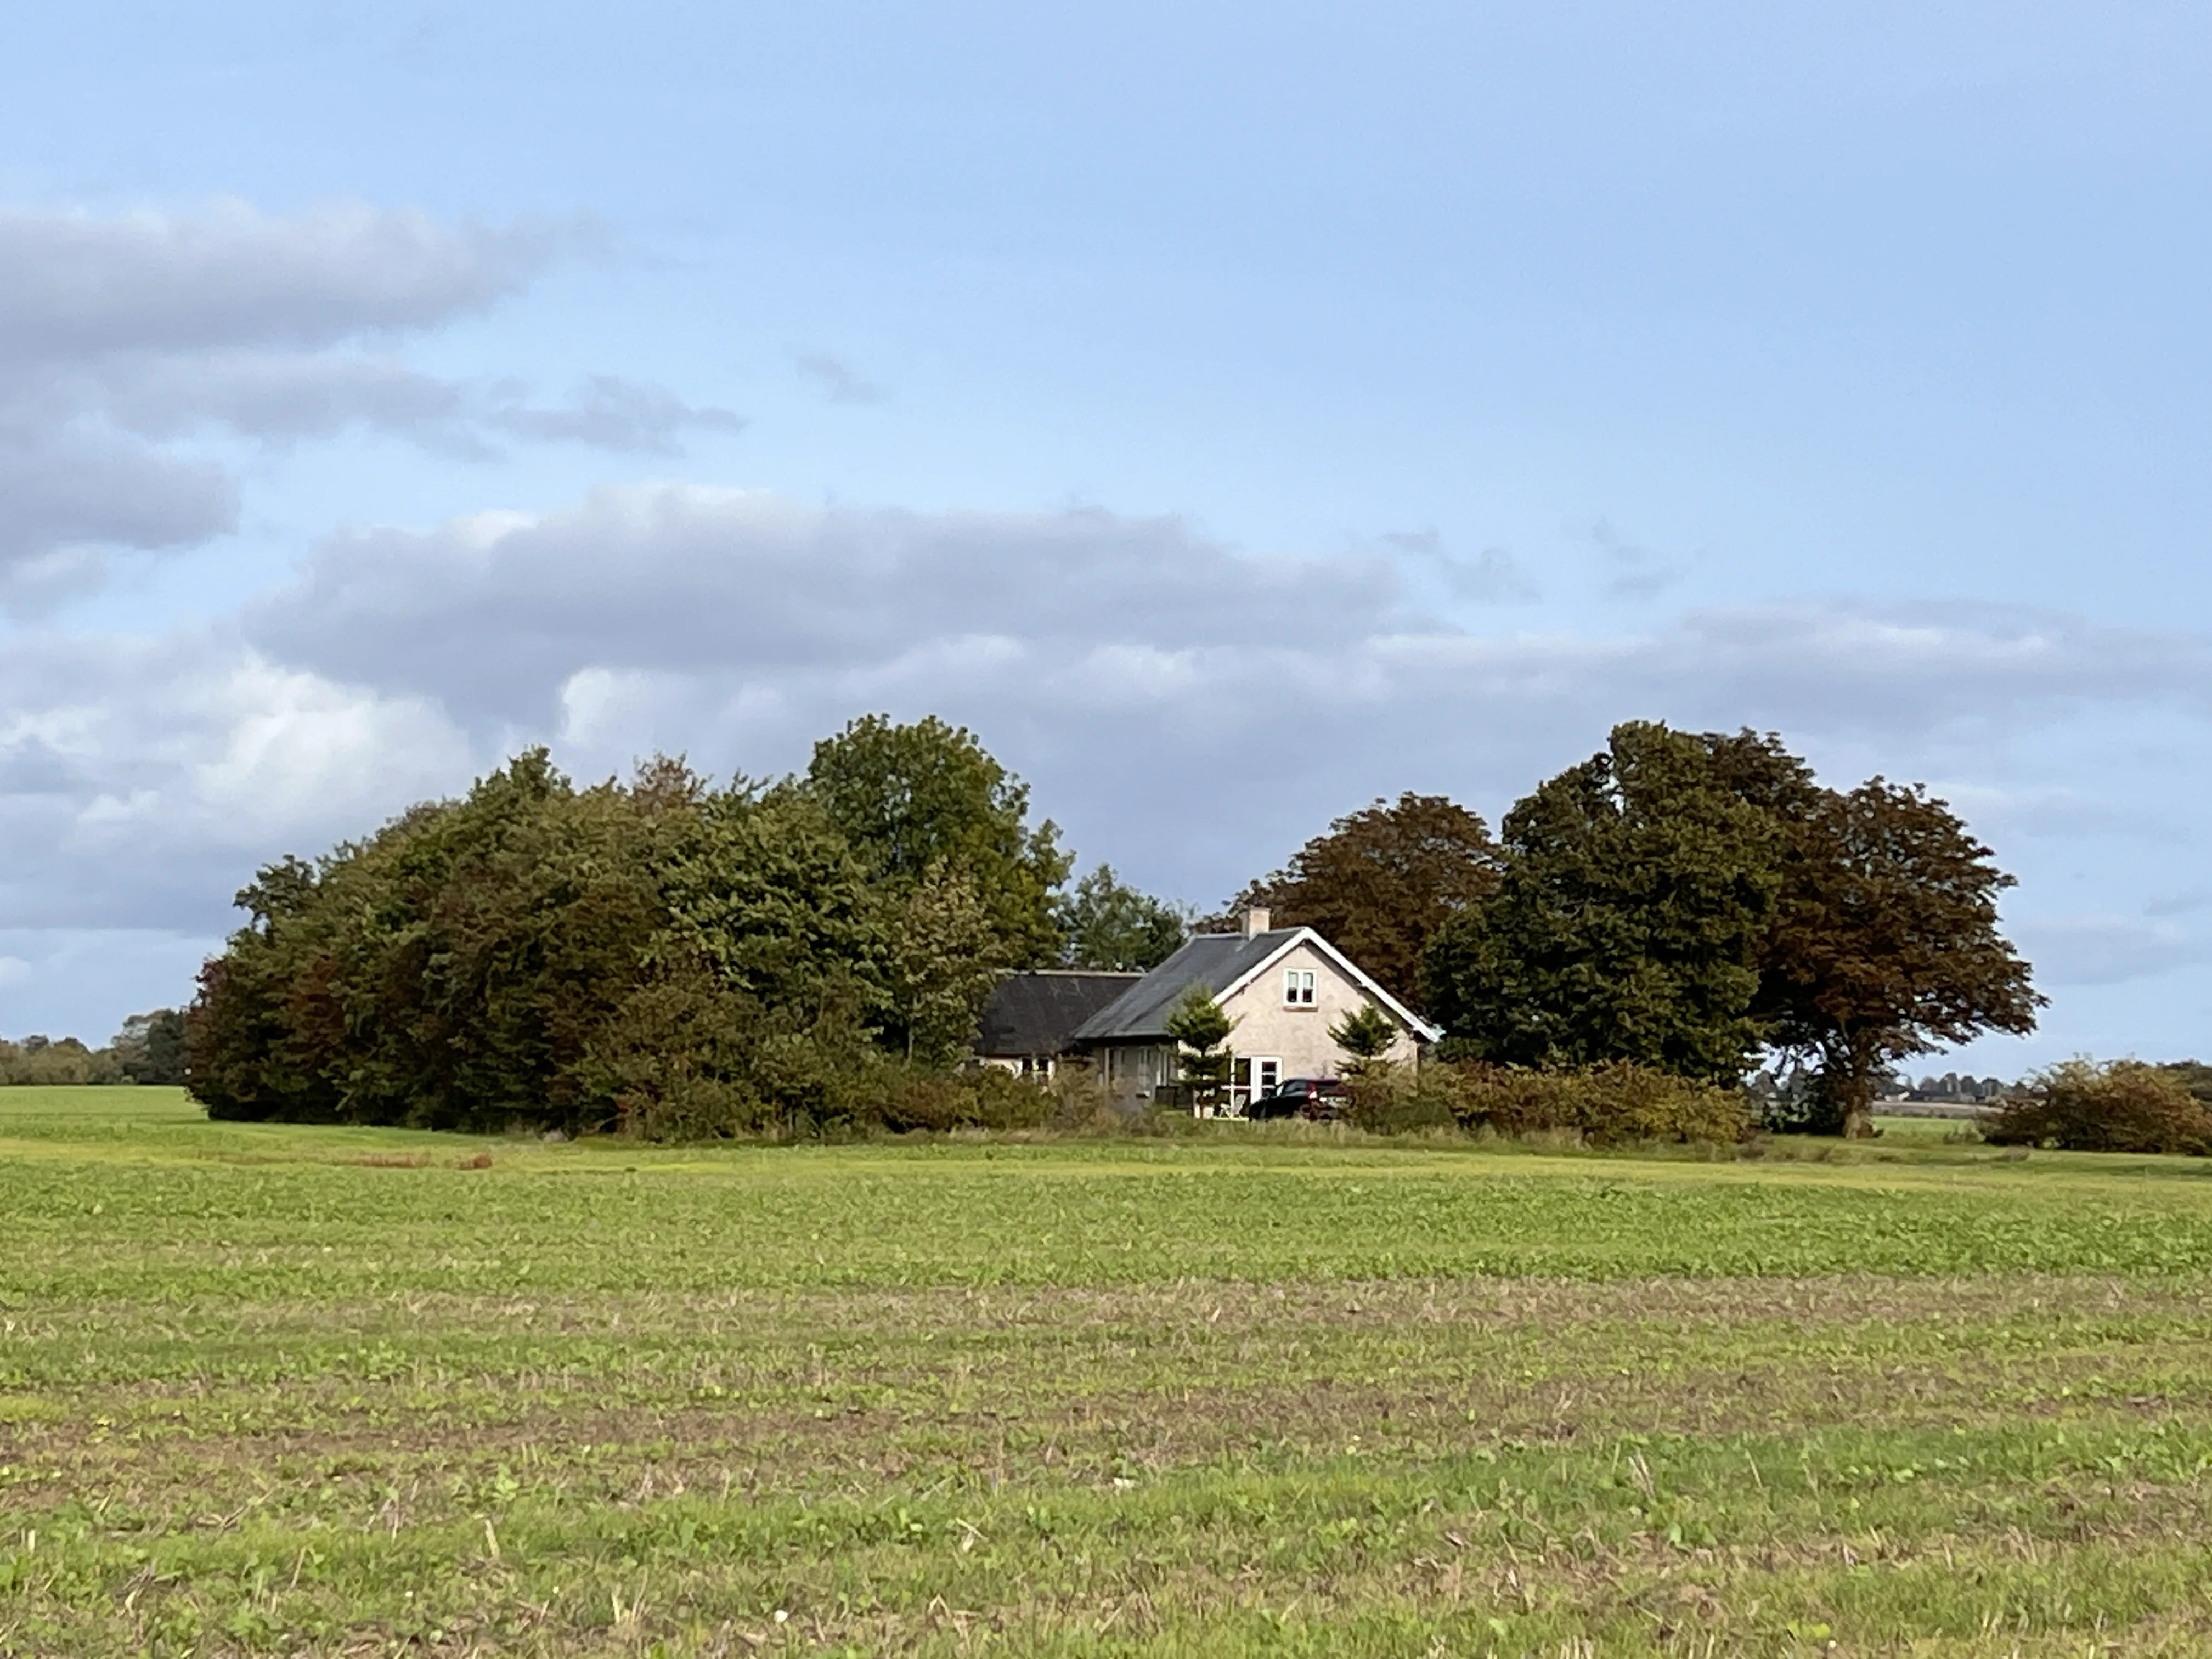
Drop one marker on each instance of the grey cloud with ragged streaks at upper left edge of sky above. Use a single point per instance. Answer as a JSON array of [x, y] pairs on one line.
[[125, 342]]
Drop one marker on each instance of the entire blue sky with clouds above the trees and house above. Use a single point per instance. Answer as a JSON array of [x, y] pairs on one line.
[[1231, 413]]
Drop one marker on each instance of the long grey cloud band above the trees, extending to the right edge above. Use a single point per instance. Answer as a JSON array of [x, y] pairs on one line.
[[494, 614]]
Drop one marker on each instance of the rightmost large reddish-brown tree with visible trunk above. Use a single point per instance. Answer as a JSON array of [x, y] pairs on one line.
[[1884, 946]]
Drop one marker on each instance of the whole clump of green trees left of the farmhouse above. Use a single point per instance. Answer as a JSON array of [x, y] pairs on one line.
[[662, 952]]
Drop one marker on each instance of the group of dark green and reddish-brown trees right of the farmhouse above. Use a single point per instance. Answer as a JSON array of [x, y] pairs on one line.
[[1682, 901]]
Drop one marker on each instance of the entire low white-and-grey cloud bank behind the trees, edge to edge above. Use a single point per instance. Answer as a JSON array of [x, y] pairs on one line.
[[1187, 709]]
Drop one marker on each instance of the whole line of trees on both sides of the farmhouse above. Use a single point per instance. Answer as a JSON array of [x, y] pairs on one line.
[[674, 957]]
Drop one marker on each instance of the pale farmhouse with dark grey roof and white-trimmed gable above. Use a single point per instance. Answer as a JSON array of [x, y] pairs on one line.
[[1282, 988]]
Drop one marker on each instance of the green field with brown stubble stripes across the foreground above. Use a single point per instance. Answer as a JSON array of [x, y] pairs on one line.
[[362, 1392]]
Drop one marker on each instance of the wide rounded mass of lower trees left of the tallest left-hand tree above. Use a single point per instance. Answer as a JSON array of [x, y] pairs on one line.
[[510, 957]]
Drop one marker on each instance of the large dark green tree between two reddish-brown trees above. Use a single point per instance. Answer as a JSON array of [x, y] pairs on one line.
[[1627, 919]]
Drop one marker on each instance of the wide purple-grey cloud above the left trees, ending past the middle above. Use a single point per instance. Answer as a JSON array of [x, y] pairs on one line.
[[494, 614]]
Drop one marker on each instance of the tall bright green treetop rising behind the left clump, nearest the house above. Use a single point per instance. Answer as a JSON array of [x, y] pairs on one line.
[[919, 797]]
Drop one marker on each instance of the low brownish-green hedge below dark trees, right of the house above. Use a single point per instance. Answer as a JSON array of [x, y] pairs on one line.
[[1605, 1105]]
